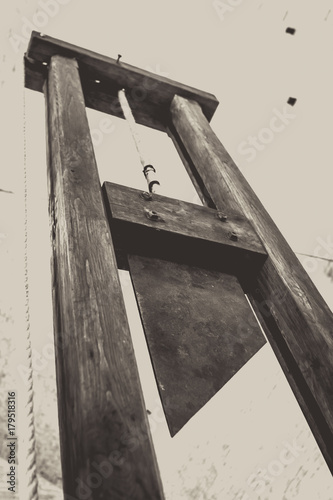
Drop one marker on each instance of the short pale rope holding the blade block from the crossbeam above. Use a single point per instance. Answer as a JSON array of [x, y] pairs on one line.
[[148, 170]]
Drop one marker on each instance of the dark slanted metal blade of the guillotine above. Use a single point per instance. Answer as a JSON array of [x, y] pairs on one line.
[[200, 331]]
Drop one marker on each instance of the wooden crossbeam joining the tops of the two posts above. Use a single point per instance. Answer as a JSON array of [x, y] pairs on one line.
[[149, 94]]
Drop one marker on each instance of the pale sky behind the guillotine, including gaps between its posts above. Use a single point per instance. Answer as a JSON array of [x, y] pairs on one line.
[[240, 52]]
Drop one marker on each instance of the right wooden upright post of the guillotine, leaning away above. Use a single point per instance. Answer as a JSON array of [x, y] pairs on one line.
[[297, 319]]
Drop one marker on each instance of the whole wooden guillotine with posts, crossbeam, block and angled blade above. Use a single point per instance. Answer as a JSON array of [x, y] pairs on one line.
[[190, 267]]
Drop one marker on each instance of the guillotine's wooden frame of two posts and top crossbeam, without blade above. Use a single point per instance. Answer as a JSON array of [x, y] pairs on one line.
[[296, 320]]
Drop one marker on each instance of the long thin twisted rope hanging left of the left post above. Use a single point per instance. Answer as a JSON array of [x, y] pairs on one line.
[[31, 486]]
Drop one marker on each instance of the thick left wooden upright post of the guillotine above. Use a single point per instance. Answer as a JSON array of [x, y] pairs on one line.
[[105, 441]]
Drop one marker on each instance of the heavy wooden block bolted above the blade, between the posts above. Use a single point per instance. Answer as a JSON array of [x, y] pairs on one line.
[[183, 232]]
